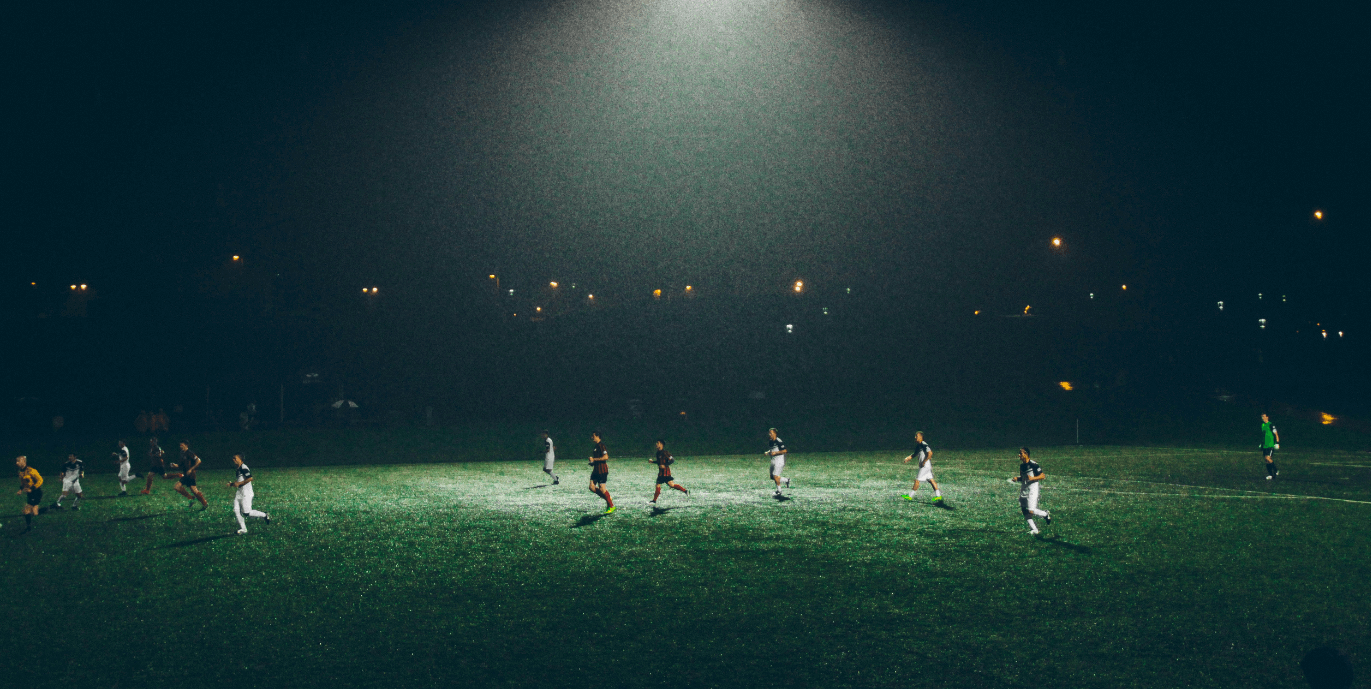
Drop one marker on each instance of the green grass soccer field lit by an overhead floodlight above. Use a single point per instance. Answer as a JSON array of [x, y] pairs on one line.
[[1163, 568]]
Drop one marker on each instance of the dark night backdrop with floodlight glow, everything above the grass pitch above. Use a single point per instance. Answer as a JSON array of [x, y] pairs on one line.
[[919, 155]]
